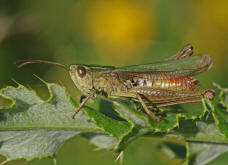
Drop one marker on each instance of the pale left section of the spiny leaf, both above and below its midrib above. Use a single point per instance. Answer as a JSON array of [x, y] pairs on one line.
[[34, 128]]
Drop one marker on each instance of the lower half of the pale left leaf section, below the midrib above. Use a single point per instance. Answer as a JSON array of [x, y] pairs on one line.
[[32, 144]]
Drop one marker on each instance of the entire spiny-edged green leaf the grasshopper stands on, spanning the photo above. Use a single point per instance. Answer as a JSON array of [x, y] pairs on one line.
[[30, 122]]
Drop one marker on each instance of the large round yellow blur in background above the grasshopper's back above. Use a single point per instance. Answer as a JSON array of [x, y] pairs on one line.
[[119, 29]]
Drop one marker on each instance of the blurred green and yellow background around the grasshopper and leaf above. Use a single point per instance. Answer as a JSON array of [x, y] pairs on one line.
[[108, 32]]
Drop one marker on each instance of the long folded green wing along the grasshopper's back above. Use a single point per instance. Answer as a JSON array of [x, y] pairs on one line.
[[187, 66]]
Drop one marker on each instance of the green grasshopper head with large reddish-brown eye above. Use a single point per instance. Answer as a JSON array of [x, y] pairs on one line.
[[82, 78]]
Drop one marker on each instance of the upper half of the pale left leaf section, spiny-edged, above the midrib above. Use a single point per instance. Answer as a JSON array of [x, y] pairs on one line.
[[28, 111]]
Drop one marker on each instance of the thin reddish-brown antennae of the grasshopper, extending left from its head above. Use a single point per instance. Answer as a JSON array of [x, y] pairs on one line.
[[22, 63]]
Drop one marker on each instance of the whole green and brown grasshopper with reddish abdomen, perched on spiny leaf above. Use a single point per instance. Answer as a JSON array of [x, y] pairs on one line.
[[163, 83]]
